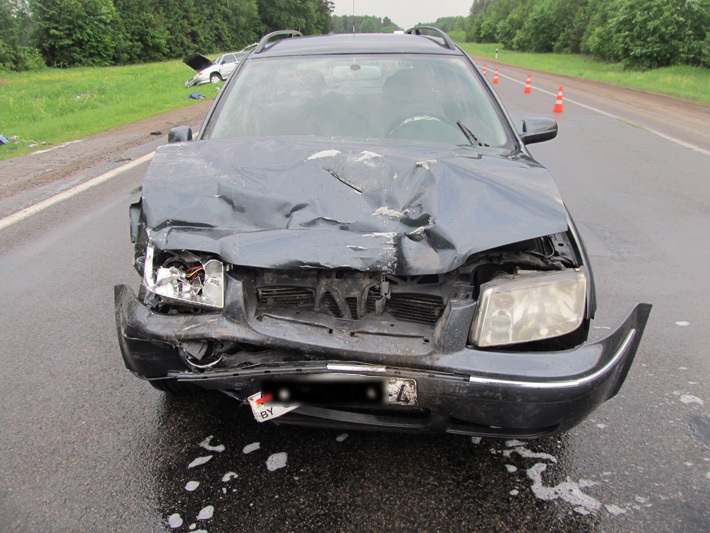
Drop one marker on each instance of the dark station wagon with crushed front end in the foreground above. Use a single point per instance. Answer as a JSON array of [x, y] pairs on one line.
[[358, 237]]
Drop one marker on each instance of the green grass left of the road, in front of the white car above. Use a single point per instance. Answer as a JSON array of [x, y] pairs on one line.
[[58, 105]]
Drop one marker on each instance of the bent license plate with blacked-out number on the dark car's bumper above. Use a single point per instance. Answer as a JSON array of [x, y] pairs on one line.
[[279, 397]]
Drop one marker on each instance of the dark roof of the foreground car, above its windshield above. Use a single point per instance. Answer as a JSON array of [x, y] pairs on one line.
[[358, 43]]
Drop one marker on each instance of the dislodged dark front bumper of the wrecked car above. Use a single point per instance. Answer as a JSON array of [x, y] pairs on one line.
[[460, 389]]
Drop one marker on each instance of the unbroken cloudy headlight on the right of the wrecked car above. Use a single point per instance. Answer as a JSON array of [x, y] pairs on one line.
[[528, 308]]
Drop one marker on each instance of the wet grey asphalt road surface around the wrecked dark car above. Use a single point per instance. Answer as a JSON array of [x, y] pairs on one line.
[[85, 446]]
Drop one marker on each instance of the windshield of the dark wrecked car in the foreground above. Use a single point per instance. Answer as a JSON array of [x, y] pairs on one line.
[[419, 98]]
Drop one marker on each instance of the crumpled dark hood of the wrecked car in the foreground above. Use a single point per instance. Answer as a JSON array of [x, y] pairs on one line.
[[284, 204]]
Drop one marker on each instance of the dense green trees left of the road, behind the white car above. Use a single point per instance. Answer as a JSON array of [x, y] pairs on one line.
[[67, 33]]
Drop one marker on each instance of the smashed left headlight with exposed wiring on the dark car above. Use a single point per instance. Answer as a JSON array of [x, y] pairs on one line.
[[185, 278]]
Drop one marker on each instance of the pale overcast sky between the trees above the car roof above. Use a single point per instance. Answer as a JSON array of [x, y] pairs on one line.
[[406, 13]]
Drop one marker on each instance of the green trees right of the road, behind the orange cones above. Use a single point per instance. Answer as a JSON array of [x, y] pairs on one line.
[[641, 34]]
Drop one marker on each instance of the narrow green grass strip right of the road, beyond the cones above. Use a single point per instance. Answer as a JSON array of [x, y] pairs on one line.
[[691, 83]]
